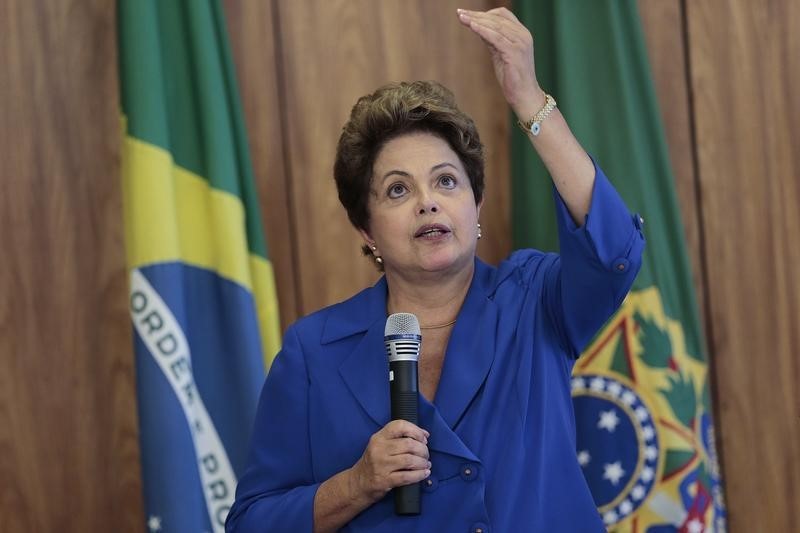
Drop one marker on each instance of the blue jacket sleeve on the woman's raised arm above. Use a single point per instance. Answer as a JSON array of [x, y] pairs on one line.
[[597, 265]]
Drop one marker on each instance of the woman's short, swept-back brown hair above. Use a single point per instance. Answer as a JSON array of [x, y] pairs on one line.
[[391, 111]]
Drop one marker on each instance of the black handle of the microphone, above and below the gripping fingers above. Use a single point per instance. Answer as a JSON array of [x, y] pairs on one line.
[[403, 394]]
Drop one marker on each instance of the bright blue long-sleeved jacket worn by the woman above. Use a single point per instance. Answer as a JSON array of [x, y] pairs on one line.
[[502, 430]]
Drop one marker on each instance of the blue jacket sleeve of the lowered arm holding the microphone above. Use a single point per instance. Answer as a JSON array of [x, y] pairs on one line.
[[276, 492]]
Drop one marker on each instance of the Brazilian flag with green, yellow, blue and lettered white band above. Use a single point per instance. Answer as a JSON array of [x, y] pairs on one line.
[[202, 295]]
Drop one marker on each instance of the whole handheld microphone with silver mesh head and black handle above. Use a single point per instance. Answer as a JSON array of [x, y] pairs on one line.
[[403, 339]]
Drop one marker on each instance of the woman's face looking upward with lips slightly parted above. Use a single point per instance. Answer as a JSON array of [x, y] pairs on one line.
[[423, 216]]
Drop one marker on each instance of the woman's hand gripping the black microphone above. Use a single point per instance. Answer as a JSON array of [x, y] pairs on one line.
[[396, 455]]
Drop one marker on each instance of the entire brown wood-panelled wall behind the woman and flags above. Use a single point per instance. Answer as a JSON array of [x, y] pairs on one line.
[[727, 75]]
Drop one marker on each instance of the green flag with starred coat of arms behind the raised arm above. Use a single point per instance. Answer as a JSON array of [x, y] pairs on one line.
[[645, 436]]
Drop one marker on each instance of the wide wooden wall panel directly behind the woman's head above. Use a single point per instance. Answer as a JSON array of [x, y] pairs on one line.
[[337, 51]]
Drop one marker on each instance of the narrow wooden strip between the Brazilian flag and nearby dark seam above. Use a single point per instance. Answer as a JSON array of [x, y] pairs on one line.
[[253, 34]]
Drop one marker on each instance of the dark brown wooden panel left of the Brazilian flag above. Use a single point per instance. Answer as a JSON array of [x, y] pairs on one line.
[[69, 456]]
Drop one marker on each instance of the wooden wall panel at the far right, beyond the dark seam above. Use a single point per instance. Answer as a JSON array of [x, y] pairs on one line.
[[745, 78]]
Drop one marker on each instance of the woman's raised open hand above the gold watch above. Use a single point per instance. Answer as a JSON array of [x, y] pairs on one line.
[[511, 46]]
